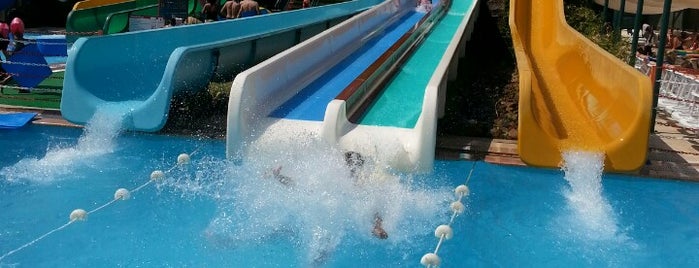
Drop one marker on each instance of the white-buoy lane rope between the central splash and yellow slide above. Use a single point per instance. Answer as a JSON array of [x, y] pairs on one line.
[[444, 232]]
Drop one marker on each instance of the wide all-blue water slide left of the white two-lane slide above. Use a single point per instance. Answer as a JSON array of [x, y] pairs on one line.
[[144, 69]]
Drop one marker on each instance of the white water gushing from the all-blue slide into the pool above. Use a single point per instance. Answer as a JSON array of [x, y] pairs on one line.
[[97, 139]]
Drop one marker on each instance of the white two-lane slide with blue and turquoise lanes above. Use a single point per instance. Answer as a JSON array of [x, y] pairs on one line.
[[374, 84]]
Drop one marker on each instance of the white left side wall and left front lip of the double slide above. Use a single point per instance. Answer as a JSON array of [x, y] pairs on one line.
[[260, 90]]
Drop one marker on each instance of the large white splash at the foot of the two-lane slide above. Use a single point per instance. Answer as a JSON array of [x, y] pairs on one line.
[[322, 207]]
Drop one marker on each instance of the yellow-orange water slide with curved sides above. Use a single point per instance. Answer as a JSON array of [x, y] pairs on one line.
[[573, 95]]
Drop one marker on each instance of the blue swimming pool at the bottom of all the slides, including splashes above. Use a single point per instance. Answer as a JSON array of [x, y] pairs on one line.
[[212, 213]]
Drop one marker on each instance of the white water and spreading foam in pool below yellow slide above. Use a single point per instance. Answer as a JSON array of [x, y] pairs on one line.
[[588, 227]]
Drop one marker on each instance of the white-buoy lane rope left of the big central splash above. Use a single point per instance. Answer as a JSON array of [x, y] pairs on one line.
[[120, 194]]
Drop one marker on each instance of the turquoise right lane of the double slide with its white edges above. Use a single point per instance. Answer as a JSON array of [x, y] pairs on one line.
[[401, 119]]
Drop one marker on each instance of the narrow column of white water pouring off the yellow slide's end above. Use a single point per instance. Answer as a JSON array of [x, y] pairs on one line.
[[592, 213]]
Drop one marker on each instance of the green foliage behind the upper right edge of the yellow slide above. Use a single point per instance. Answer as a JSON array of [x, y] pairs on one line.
[[582, 17]]
